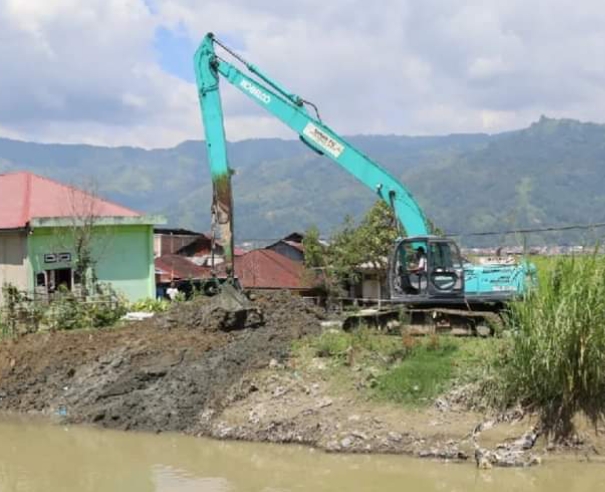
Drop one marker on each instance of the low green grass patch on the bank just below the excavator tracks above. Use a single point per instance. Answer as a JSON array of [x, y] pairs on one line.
[[409, 371]]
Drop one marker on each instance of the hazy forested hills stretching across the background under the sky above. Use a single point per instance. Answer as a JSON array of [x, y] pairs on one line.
[[550, 173]]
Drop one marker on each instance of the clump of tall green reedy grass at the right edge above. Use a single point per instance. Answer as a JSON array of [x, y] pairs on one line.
[[556, 359]]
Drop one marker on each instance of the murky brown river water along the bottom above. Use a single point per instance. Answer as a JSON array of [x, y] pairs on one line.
[[37, 456]]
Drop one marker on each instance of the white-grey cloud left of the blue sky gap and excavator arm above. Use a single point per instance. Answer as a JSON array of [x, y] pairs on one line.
[[86, 71]]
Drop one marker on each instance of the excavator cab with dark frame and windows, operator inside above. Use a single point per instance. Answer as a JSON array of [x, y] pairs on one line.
[[426, 268]]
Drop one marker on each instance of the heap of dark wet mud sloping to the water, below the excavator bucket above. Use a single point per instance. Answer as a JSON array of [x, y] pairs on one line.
[[158, 375]]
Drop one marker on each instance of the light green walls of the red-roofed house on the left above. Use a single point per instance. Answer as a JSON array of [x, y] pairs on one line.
[[123, 255]]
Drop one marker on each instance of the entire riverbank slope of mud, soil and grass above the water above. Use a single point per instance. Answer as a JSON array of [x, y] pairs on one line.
[[280, 380]]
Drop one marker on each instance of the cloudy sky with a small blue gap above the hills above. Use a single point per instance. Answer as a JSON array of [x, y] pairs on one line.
[[120, 72]]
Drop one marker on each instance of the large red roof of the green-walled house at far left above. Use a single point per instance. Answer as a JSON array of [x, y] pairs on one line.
[[24, 196]]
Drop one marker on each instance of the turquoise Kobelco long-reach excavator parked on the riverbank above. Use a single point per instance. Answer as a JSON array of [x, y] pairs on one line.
[[445, 292]]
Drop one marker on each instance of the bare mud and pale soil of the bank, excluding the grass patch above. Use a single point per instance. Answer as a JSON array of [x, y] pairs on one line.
[[201, 370]]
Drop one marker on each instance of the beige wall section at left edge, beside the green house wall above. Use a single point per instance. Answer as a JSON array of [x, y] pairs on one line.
[[13, 260]]
